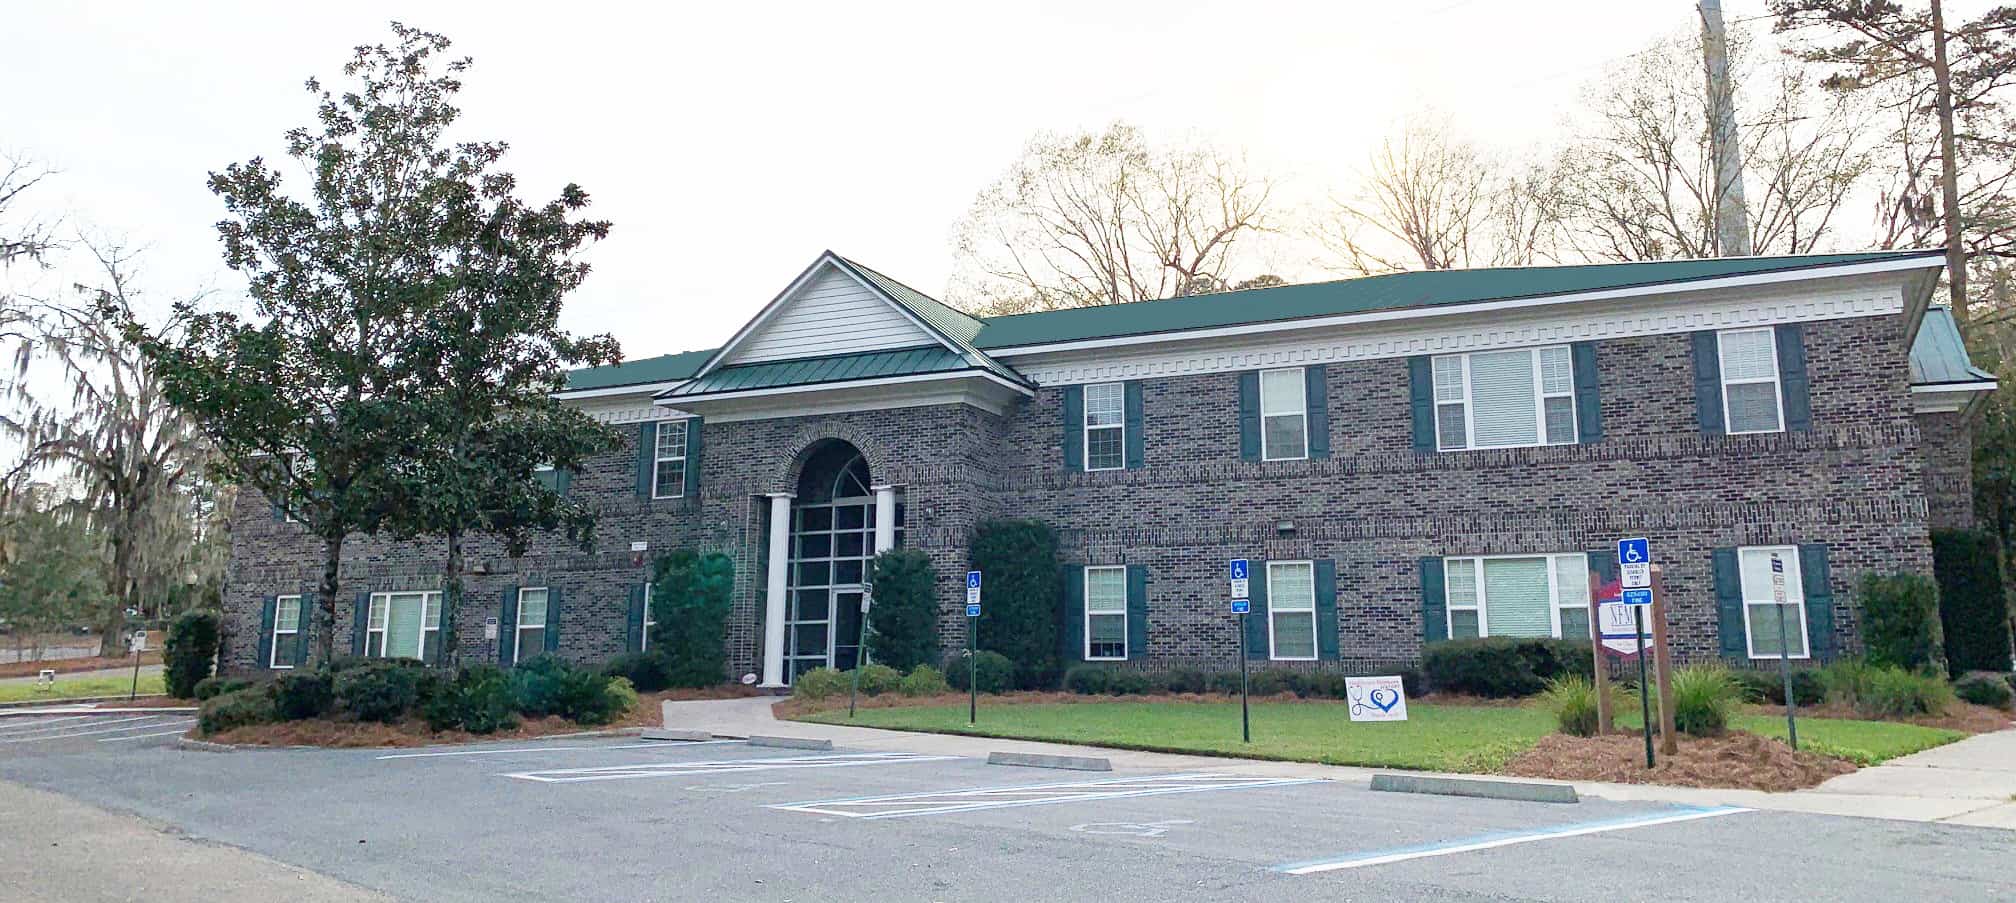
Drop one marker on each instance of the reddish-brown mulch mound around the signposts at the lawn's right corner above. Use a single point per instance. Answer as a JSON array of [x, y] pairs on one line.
[[1733, 761]]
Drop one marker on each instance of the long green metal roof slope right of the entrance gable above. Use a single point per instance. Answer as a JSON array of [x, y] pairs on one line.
[[1380, 293]]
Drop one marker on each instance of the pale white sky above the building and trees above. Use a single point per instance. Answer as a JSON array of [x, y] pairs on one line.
[[731, 144]]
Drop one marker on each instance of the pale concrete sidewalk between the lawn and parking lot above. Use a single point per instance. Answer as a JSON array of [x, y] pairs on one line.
[[1965, 783]]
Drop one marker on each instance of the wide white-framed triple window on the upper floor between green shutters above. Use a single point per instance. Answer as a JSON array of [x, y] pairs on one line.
[[1505, 398]]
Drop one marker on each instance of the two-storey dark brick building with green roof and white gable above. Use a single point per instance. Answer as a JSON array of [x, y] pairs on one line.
[[1404, 459]]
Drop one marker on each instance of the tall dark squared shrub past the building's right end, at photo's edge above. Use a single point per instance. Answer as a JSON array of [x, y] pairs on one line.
[[1975, 614]]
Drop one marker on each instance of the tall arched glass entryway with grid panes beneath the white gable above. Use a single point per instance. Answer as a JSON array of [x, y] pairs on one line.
[[834, 541]]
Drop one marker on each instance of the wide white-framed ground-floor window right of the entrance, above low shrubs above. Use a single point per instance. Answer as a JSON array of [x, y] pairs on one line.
[[1517, 596]]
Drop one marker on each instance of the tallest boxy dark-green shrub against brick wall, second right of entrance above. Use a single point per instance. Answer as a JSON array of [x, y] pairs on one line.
[[1023, 594]]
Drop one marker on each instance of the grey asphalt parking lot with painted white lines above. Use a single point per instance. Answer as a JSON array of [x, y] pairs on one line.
[[630, 819]]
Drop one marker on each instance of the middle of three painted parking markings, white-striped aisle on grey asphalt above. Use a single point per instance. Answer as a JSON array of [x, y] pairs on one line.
[[1033, 795]]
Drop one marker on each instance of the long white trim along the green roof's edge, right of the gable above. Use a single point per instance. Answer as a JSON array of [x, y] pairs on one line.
[[1757, 279]]
